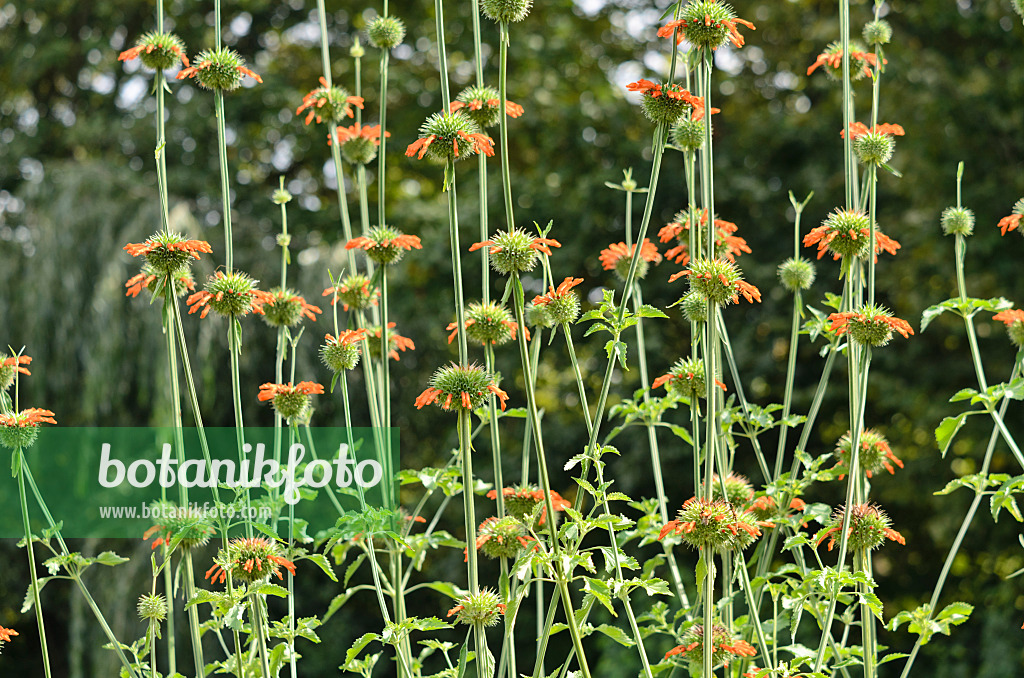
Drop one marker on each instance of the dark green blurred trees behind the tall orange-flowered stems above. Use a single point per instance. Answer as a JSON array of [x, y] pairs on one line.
[[77, 183]]
